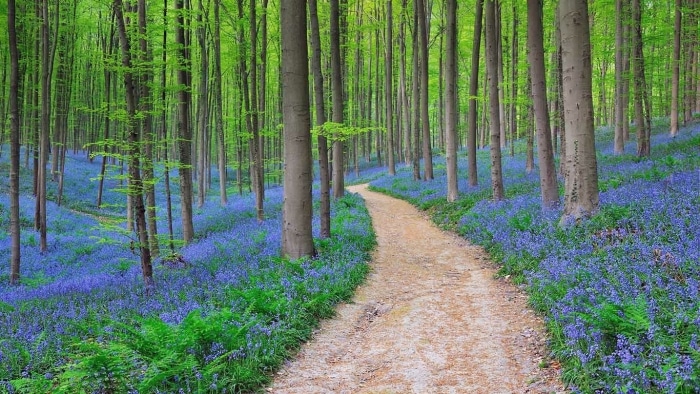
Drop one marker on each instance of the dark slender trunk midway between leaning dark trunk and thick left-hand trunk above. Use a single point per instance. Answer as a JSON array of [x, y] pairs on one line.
[[184, 124]]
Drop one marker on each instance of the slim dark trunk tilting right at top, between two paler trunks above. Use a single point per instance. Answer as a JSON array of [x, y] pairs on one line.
[[473, 91]]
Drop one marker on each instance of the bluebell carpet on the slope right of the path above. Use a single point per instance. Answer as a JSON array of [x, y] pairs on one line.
[[619, 291]]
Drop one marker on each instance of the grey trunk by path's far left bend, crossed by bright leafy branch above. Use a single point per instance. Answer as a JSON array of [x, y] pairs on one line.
[[337, 98]]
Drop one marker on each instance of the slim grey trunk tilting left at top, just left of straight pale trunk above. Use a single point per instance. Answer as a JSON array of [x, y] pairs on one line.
[[425, 122]]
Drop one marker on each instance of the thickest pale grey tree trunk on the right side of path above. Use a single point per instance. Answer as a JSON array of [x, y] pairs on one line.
[[581, 175]]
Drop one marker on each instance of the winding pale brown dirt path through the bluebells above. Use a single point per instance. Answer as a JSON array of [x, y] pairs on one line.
[[430, 319]]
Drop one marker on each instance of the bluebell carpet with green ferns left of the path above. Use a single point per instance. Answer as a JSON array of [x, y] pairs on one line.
[[226, 312]]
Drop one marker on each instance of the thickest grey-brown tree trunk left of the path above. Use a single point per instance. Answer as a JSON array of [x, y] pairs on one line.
[[297, 239]]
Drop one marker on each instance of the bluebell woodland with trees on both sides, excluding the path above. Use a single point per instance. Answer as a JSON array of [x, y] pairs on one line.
[[174, 208]]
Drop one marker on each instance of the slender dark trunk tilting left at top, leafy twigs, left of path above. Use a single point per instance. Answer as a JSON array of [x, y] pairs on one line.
[[136, 188]]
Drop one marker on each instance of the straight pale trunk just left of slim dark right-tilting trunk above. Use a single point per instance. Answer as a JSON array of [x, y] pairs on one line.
[[451, 101]]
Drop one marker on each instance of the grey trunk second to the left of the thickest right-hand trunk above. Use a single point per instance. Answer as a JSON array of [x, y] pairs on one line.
[[494, 107]]
